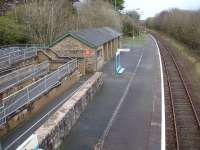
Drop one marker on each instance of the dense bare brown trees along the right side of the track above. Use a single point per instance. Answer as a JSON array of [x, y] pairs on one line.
[[183, 25]]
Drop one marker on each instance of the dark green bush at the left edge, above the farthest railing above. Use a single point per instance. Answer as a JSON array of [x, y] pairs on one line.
[[11, 32]]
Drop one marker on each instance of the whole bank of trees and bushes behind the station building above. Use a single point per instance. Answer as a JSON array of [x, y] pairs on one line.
[[43, 21]]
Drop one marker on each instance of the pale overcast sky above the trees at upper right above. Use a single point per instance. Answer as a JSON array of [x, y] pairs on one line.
[[152, 7]]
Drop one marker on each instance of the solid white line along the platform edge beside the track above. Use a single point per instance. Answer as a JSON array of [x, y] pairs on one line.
[[163, 137]]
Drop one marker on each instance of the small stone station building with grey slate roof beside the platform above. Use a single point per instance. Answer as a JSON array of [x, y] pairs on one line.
[[92, 47]]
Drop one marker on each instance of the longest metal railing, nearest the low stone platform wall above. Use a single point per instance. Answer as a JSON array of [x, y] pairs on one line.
[[33, 91]]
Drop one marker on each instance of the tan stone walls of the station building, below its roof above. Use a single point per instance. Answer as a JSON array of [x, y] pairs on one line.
[[94, 60]]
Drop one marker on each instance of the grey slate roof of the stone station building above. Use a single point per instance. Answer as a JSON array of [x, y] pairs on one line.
[[93, 37]]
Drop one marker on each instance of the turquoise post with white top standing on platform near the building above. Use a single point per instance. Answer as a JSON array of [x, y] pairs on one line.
[[118, 68]]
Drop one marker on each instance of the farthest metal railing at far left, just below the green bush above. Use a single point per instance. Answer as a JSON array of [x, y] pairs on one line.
[[15, 54]]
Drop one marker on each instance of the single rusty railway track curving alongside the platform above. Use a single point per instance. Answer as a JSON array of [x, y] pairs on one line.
[[182, 121]]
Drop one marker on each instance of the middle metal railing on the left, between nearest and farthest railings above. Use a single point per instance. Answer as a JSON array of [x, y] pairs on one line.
[[14, 78]]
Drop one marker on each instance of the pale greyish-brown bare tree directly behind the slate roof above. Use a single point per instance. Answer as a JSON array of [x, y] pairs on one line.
[[97, 14]]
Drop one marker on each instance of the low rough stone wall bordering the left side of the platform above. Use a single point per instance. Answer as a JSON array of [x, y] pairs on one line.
[[52, 132]]
